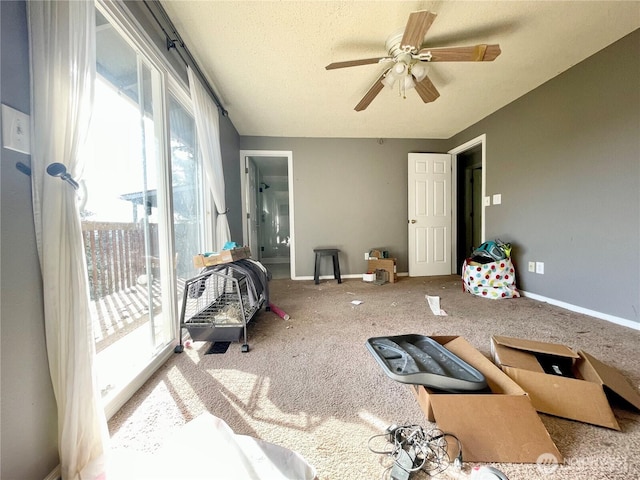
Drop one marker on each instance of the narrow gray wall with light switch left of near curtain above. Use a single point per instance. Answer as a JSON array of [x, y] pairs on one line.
[[28, 410]]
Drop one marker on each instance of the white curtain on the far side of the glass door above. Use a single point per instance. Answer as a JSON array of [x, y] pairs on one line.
[[208, 129]]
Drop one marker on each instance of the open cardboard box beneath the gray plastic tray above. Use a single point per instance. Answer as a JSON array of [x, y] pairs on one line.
[[501, 426]]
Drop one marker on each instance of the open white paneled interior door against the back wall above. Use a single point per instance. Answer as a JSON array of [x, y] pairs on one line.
[[429, 214]]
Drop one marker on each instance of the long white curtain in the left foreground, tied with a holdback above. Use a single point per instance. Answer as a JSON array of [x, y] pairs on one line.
[[62, 44]]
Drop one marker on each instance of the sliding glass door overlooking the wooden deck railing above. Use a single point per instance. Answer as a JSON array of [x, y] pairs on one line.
[[143, 215]]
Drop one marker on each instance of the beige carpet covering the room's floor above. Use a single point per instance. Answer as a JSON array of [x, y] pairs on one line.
[[310, 385]]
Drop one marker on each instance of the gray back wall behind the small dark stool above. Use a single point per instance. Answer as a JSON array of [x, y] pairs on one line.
[[348, 193]]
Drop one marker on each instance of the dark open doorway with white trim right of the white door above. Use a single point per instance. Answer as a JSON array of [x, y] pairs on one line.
[[470, 186]]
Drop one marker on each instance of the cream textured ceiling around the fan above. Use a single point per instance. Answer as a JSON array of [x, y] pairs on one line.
[[266, 59]]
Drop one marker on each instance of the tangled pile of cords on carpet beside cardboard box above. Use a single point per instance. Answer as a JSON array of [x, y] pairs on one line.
[[428, 450]]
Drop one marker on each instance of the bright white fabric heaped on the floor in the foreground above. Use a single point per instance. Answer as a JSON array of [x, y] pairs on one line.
[[207, 448]]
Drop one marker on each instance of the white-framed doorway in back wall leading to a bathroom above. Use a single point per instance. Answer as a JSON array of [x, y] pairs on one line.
[[267, 209]]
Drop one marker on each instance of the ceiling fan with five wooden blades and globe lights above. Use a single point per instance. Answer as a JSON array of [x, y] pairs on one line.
[[406, 57]]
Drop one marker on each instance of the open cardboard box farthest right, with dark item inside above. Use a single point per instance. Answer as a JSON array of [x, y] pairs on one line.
[[581, 398]]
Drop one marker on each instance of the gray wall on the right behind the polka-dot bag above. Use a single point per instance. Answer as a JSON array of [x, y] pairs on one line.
[[566, 159]]
